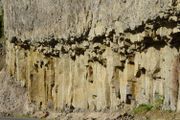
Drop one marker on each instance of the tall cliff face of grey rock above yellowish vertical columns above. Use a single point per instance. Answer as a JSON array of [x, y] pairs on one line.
[[95, 54]]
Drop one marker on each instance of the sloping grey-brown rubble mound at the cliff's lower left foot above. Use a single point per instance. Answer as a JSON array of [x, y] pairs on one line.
[[13, 97]]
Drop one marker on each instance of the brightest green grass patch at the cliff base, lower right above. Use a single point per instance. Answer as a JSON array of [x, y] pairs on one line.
[[142, 108]]
